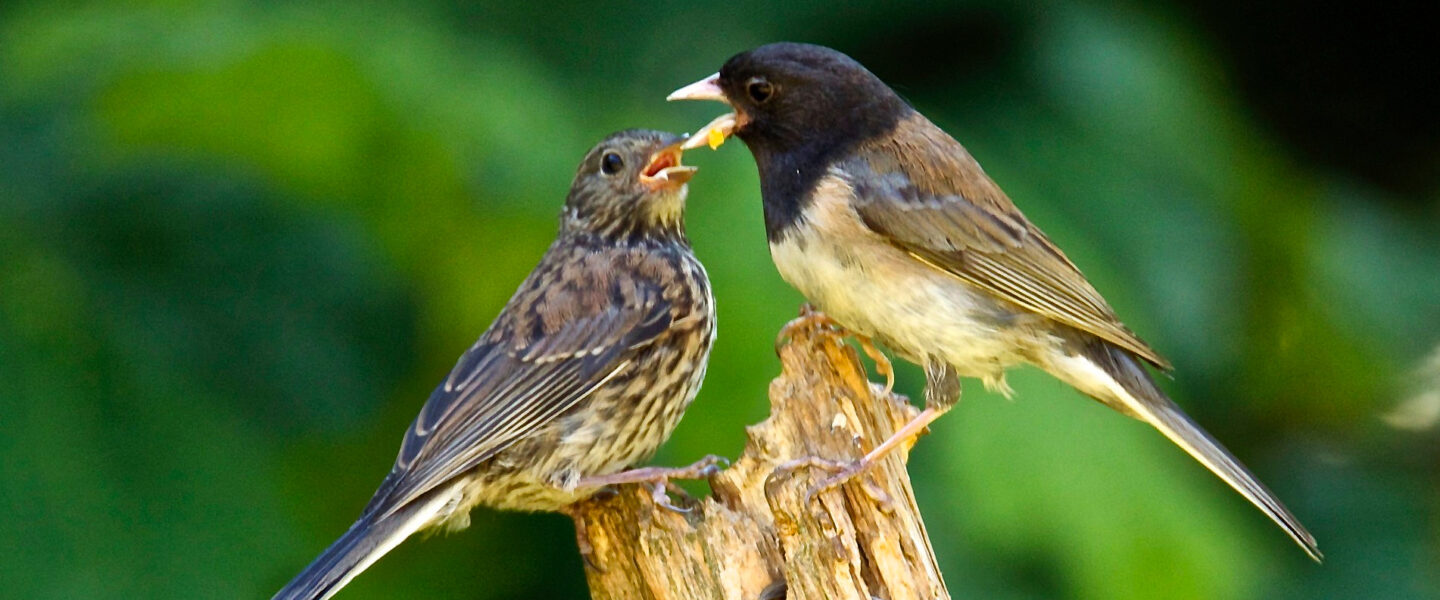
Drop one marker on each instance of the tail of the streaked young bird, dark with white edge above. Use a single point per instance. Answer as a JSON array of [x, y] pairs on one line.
[[365, 543]]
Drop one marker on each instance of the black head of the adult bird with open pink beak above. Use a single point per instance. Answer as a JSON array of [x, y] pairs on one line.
[[797, 99]]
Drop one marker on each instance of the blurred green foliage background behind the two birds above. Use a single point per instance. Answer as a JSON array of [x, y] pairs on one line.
[[240, 242]]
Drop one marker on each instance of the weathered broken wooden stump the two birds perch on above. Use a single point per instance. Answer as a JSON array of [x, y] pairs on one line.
[[757, 537]]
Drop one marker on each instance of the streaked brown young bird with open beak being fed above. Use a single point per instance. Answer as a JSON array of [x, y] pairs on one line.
[[585, 372]]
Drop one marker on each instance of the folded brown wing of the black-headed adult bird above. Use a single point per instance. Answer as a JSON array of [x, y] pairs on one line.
[[941, 208]]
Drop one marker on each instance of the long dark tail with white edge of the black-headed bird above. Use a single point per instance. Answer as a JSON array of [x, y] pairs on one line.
[[1117, 379]]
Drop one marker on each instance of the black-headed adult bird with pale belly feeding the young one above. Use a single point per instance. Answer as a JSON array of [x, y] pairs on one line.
[[889, 227]]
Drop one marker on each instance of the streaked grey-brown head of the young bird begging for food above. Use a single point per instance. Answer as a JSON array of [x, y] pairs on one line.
[[630, 188]]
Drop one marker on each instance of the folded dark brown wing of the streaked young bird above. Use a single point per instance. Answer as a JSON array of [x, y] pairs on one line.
[[551, 347]]
